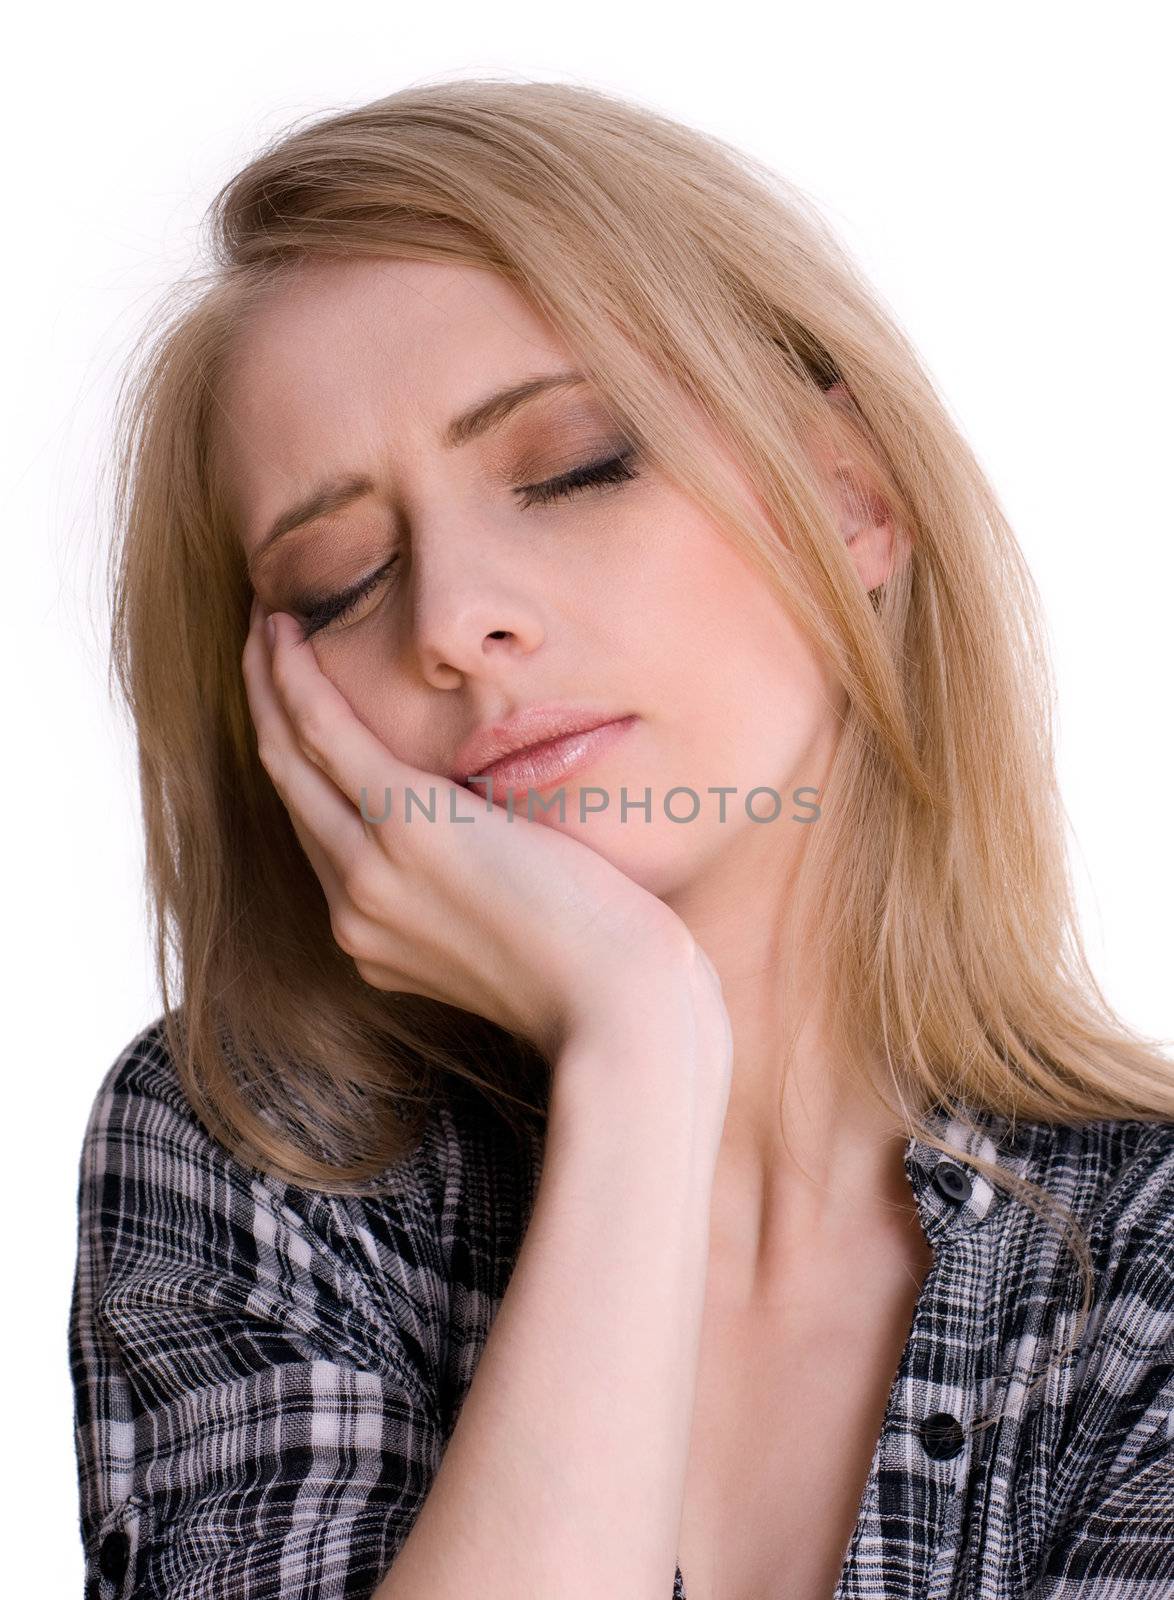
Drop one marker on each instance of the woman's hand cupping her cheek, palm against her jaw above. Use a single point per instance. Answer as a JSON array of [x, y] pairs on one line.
[[501, 918]]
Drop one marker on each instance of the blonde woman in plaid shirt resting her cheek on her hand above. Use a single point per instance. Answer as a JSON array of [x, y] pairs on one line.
[[706, 1148]]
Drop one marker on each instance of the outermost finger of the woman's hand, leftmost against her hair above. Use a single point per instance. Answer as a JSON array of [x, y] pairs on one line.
[[329, 828]]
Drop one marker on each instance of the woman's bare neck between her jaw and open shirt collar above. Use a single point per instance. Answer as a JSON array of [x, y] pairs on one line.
[[810, 1170]]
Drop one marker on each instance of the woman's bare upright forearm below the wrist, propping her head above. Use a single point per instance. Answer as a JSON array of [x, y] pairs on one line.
[[565, 1473]]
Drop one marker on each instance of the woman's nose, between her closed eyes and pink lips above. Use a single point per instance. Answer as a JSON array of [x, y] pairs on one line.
[[471, 604]]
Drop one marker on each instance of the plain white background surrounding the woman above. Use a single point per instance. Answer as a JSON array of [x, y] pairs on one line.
[[1000, 172]]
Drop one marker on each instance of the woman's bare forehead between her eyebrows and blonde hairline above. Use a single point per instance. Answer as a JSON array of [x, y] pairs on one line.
[[364, 358]]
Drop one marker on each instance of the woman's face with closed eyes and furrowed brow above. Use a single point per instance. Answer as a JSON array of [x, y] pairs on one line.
[[485, 601]]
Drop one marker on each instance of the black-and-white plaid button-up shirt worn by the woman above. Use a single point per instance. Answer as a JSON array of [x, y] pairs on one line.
[[266, 1377]]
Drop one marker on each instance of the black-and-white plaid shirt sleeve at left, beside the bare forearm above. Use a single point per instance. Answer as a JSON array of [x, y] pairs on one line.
[[255, 1415]]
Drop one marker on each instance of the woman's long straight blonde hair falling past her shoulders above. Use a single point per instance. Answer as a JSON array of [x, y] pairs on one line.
[[671, 263]]
